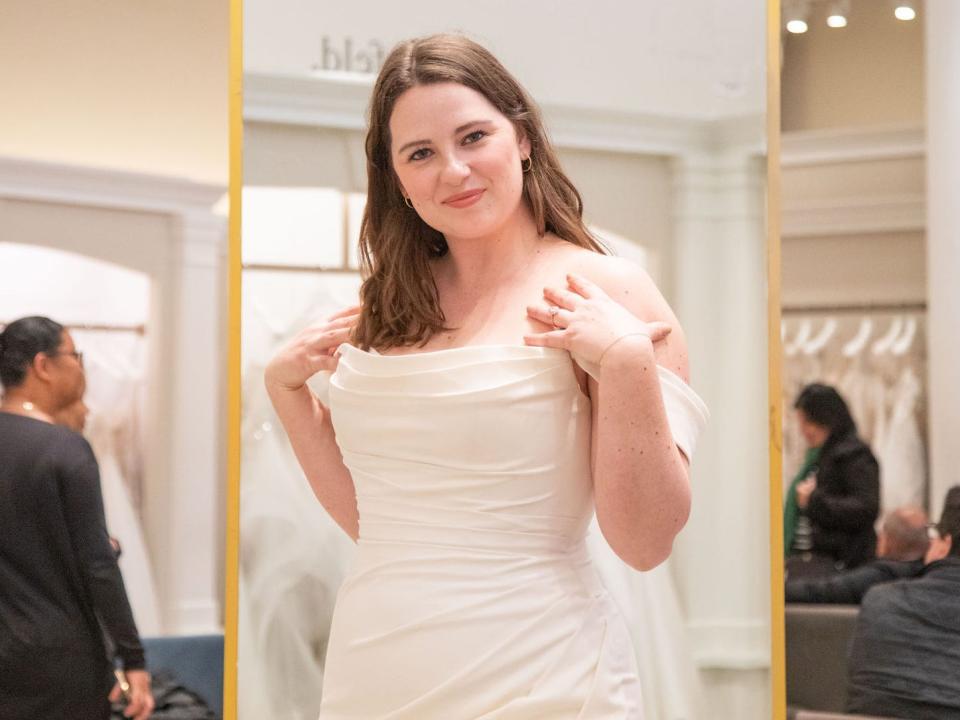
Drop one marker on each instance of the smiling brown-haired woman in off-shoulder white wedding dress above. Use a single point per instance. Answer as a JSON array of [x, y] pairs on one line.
[[500, 372]]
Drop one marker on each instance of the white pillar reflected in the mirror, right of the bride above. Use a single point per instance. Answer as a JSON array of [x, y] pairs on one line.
[[722, 557]]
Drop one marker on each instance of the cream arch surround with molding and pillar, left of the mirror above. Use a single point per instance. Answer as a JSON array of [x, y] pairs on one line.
[[166, 230]]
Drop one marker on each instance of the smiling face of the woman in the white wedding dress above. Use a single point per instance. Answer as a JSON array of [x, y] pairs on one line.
[[458, 159]]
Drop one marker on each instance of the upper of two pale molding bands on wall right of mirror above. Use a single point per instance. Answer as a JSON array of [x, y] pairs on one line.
[[822, 147]]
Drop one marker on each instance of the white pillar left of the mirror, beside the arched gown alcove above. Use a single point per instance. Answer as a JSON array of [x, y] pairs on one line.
[[194, 499]]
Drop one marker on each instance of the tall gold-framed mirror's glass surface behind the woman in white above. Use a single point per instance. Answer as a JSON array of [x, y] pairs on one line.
[[657, 114]]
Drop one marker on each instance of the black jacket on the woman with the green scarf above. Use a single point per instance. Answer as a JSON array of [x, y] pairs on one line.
[[846, 503]]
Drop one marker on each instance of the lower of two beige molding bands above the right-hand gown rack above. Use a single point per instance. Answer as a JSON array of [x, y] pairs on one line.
[[855, 216]]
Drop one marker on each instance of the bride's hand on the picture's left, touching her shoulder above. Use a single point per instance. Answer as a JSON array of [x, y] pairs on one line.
[[311, 351]]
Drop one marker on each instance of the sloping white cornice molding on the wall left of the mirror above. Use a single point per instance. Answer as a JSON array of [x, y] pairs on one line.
[[76, 185]]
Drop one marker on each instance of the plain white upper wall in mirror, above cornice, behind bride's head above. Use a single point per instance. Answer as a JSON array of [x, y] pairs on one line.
[[680, 58]]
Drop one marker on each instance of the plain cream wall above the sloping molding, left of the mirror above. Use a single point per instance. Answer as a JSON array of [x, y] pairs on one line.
[[136, 86]]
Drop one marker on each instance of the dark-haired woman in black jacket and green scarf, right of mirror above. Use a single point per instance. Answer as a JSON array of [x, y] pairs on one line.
[[834, 500]]
